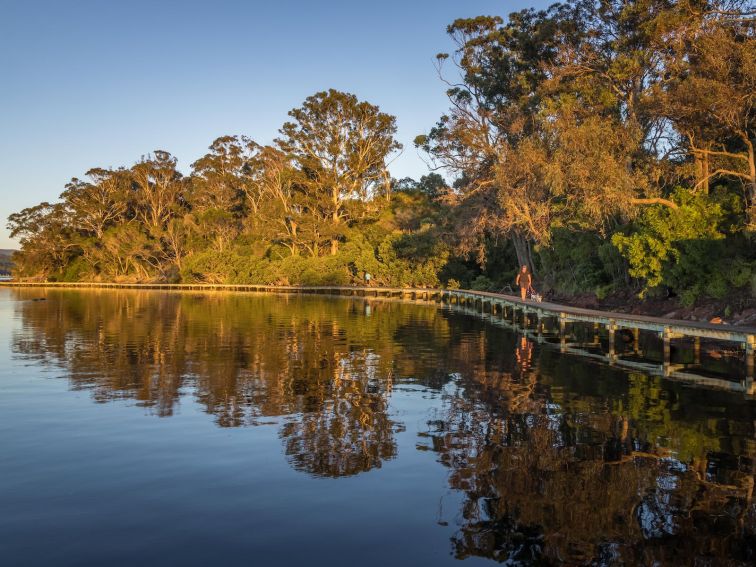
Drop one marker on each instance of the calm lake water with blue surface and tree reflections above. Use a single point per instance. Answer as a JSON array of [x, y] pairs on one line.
[[151, 428]]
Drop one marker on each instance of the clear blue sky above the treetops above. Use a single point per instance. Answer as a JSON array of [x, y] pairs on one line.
[[100, 83]]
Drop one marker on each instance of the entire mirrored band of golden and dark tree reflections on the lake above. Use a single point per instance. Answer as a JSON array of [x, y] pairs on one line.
[[556, 459]]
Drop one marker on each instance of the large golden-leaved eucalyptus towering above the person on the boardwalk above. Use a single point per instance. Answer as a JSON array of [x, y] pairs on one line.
[[555, 120]]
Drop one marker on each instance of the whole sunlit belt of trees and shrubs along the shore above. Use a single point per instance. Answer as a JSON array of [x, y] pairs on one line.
[[608, 145]]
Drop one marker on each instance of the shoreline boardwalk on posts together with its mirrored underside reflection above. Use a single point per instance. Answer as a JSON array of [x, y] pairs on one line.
[[548, 323]]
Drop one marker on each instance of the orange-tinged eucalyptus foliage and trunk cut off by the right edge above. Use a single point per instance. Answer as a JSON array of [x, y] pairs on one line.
[[710, 97]]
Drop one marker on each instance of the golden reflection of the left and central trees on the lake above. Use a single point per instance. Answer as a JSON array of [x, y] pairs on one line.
[[322, 366]]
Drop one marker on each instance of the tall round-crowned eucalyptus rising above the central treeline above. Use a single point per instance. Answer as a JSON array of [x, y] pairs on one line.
[[341, 147]]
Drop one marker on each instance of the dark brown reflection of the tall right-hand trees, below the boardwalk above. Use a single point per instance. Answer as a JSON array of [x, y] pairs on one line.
[[584, 482]]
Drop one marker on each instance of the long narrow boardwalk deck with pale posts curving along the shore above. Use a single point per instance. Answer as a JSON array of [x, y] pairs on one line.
[[507, 307]]
